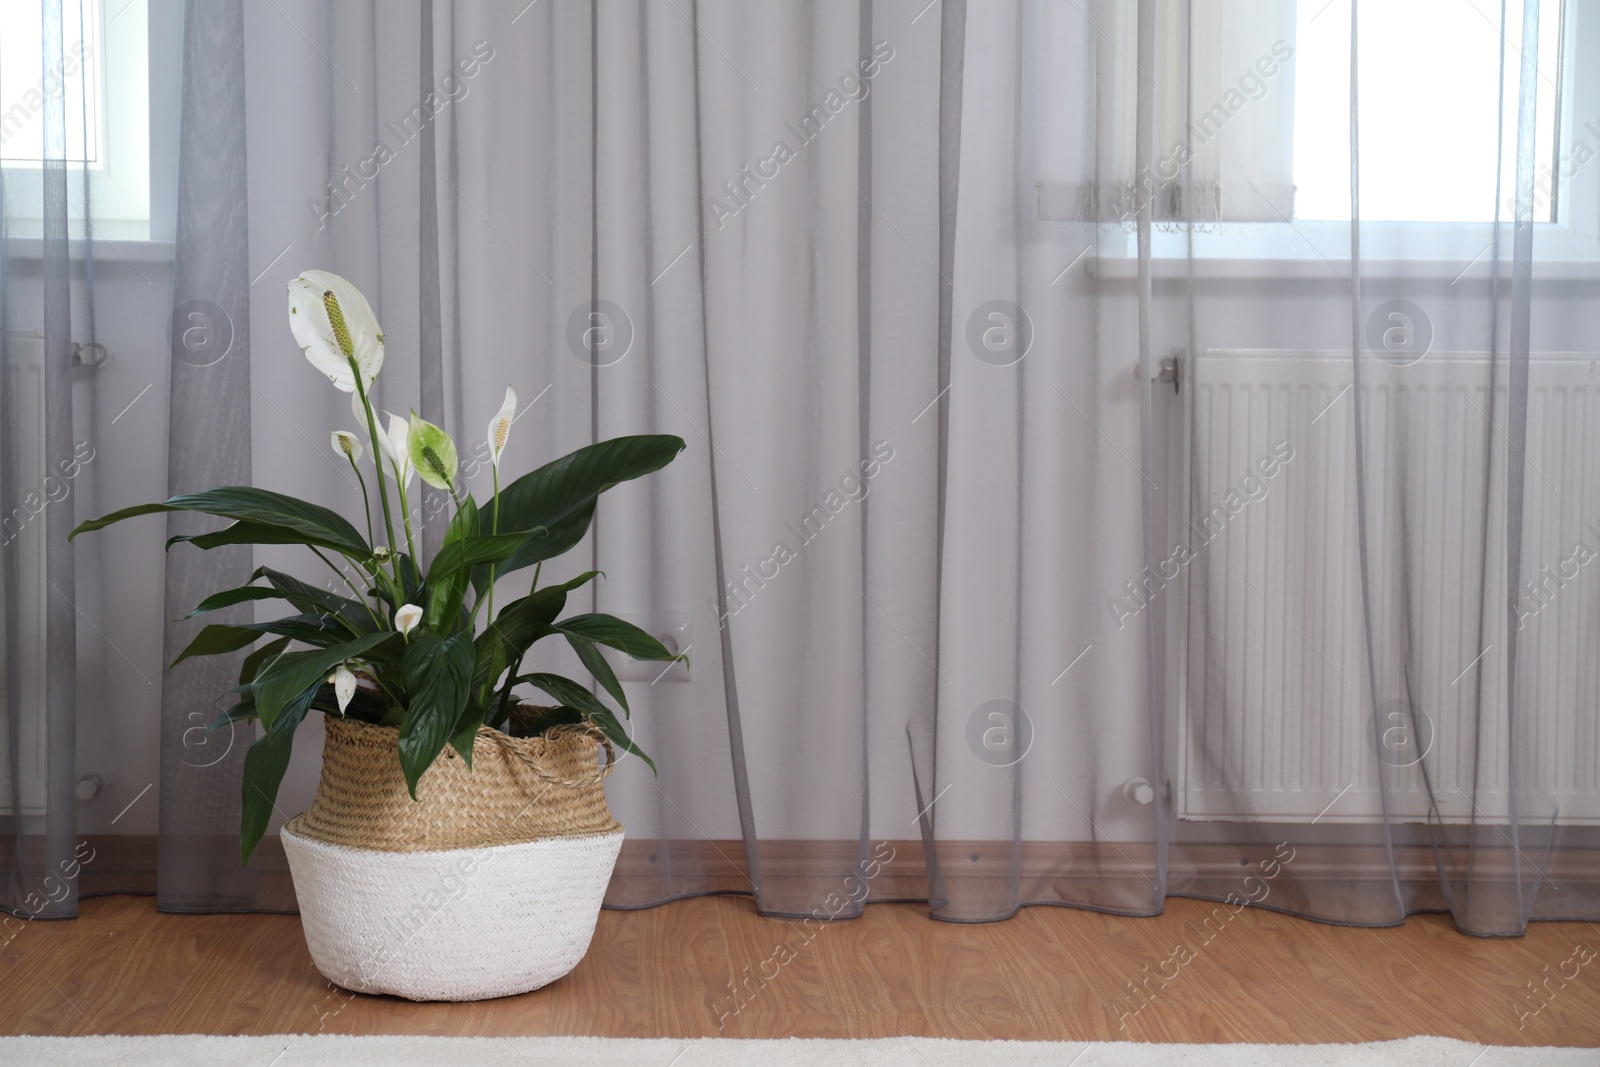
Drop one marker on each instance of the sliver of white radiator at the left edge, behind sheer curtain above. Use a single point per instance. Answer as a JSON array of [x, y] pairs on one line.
[[23, 533]]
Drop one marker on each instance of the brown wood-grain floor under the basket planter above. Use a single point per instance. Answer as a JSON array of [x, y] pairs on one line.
[[1047, 975]]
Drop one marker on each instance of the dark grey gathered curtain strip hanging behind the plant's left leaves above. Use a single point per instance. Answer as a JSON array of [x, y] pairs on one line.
[[209, 444]]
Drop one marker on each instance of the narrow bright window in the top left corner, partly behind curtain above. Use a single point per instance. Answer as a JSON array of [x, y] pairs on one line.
[[103, 87]]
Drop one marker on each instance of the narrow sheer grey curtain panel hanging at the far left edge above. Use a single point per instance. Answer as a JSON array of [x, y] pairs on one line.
[[41, 217]]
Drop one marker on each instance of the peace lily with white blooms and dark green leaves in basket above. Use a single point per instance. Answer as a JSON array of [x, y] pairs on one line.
[[418, 649]]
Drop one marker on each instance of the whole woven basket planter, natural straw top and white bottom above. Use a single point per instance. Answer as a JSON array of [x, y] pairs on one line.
[[487, 885]]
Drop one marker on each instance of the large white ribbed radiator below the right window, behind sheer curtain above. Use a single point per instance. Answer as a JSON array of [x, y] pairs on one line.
[[1273, 684]]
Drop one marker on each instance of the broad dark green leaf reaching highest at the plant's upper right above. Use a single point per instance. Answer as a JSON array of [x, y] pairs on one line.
[[556, 503]]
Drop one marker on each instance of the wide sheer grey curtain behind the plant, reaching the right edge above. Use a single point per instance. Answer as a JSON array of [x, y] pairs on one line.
[[1028, 549]]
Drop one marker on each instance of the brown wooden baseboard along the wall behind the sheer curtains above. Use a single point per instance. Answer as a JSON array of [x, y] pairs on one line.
[[650, 869]]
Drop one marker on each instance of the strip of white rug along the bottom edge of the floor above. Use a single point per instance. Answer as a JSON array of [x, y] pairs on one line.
[[583, 1052]]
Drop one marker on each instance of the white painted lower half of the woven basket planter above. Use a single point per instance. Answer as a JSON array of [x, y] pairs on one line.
[[450, 925]]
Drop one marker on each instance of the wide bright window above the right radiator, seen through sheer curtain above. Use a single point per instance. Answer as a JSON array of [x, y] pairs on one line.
[[1250, 170]]
